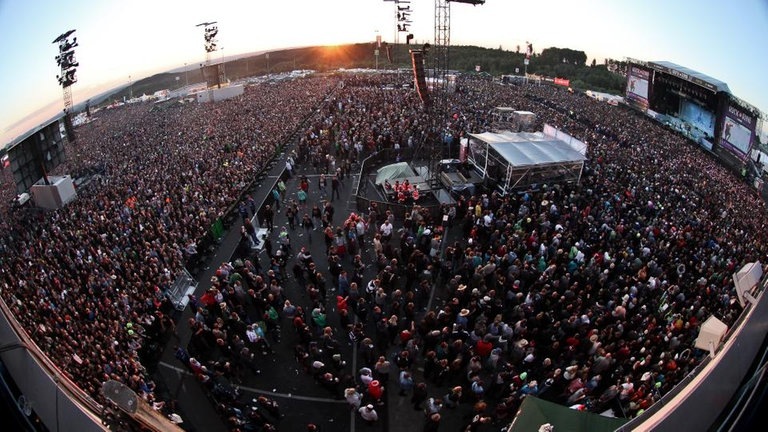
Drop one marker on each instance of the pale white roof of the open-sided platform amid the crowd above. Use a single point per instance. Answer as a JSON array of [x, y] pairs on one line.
[[529, 149]]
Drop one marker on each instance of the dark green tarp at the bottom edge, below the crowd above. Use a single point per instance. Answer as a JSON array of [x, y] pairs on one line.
[[535, 412]]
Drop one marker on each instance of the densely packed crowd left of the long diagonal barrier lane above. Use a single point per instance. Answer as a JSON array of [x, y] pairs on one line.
[[88, 281]]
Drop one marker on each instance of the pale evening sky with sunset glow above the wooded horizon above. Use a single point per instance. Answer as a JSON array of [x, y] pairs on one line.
[[129, 40]]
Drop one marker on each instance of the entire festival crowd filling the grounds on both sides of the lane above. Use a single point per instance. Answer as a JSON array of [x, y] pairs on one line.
[[588, 295]]
